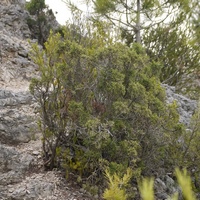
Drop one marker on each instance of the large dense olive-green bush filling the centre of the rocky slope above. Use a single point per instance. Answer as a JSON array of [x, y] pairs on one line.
[[102, 107]]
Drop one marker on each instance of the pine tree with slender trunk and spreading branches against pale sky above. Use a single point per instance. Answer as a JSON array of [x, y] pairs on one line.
[[133, 17]]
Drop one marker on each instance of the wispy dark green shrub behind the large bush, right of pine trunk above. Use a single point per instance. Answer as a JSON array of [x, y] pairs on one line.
[[179, 57]]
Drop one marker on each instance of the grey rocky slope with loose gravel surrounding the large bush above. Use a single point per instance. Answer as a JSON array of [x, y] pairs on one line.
[[21, 171]]
